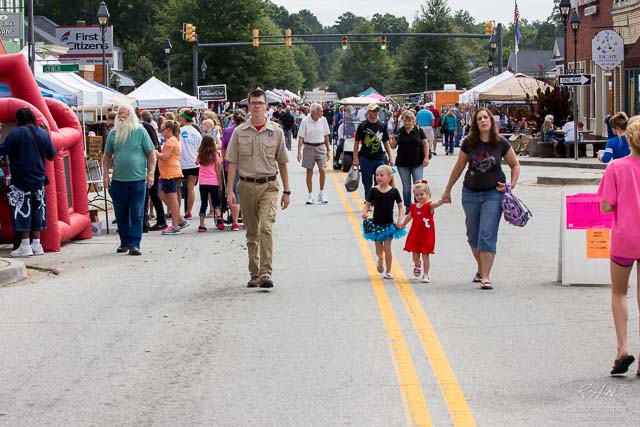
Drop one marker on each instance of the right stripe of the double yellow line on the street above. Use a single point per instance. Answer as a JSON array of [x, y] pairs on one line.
[[454, 397]]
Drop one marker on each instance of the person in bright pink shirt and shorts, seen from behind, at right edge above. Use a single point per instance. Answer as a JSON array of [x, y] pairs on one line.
[[620, 193]]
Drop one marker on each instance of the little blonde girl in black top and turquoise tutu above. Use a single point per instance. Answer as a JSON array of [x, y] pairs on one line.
[[382, 228]]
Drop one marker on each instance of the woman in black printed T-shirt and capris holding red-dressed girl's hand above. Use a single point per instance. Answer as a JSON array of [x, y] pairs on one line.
[[483, 188]]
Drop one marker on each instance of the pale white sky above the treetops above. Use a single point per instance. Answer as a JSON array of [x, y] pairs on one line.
[[327, 11]]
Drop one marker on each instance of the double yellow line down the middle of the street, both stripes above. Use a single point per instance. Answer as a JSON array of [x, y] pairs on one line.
[[413, 396]]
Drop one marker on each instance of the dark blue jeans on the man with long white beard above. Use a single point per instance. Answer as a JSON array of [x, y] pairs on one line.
[[128, 204]]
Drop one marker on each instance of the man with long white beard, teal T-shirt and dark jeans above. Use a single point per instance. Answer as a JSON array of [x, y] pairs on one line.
[[133, 155]]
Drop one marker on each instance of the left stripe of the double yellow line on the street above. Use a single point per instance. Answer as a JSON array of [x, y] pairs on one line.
[[408, 377]]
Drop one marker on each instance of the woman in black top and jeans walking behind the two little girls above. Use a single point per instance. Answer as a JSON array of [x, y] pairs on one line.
[[412, 156]]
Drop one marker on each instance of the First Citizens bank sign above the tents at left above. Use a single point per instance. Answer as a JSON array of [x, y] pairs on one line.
[[85, 43]]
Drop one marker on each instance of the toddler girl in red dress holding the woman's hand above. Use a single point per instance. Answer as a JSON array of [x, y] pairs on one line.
[[421, 240]]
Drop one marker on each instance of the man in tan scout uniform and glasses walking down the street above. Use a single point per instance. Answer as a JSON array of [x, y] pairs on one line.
[[256, 153]]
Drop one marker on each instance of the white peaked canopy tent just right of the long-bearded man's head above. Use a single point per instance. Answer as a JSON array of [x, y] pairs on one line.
[[156, 94]]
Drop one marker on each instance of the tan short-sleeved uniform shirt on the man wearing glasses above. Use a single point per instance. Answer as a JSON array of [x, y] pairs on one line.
[[257, 153]]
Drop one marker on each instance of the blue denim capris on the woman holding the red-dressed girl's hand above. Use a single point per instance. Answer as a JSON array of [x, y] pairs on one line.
[[483, 210]]
